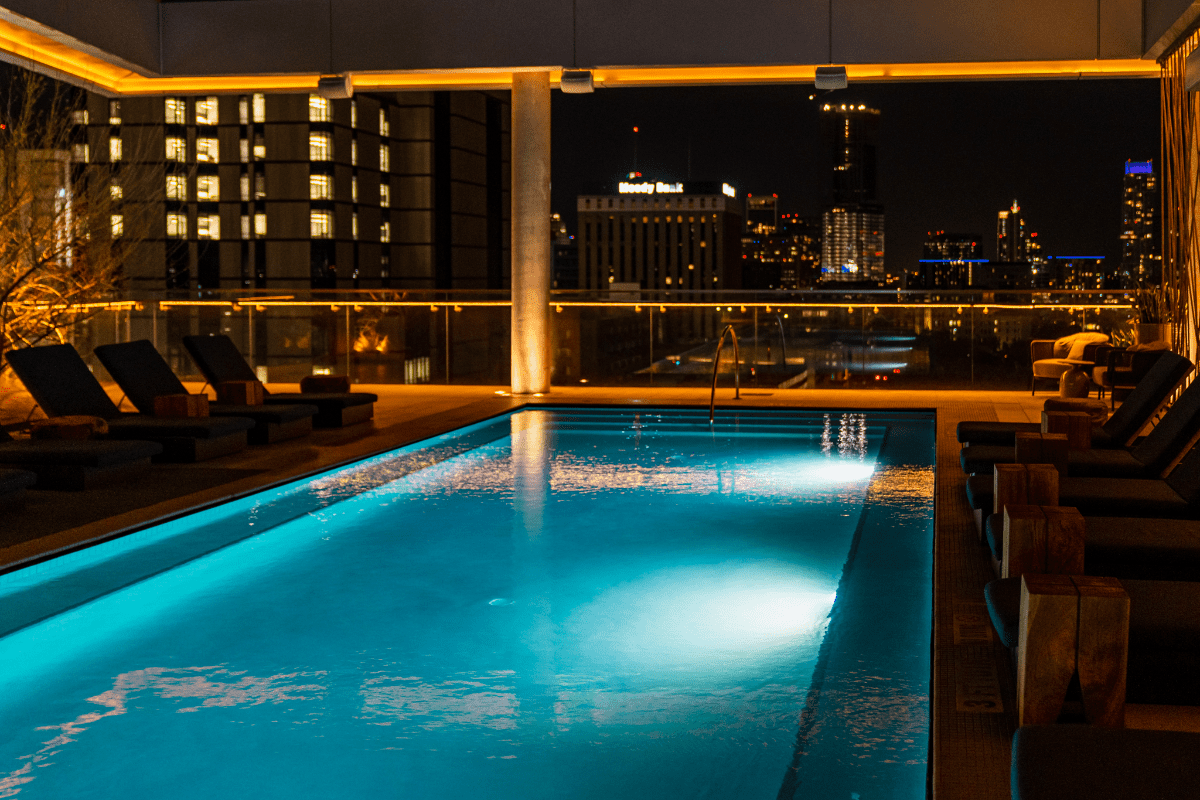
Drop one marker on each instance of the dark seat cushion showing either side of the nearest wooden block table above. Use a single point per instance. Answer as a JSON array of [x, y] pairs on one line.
[[1163, 615]]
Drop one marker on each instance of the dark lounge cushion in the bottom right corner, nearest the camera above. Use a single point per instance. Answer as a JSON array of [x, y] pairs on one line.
[[1077, 762]]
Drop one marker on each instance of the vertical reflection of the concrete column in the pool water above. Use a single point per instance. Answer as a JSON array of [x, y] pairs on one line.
[[532, 443]]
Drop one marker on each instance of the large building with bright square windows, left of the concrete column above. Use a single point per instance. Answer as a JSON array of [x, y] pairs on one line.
[[295, 191]]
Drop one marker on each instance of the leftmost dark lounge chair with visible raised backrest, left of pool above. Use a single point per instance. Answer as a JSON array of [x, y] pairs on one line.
[[63, 386]]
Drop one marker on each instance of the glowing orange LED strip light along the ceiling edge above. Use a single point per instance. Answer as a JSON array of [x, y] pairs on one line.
[[105, 76]]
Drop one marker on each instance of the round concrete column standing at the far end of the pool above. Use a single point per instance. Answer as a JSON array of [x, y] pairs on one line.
[[532, 255]]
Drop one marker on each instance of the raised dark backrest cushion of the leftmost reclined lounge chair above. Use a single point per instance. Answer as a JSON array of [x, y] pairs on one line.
[[61, 382]]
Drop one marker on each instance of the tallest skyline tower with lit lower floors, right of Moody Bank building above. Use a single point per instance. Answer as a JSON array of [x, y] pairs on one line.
[[853, 237]]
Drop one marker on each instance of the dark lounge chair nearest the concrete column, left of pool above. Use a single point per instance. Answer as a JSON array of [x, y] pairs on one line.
[[220, 362]]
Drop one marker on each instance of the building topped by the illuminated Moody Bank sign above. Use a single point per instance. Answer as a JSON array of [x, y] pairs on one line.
[[661, 236]]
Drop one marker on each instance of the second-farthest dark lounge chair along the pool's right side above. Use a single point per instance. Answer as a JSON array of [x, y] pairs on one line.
[[1148, 459]]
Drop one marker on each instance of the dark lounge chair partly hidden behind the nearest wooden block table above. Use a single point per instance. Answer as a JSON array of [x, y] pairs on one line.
[[1165, 636]]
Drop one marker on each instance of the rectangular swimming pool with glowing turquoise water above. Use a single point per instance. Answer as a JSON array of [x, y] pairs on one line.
[[553, 604]]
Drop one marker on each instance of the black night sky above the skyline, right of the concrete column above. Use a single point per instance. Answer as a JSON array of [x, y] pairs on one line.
[[951, 155]]
